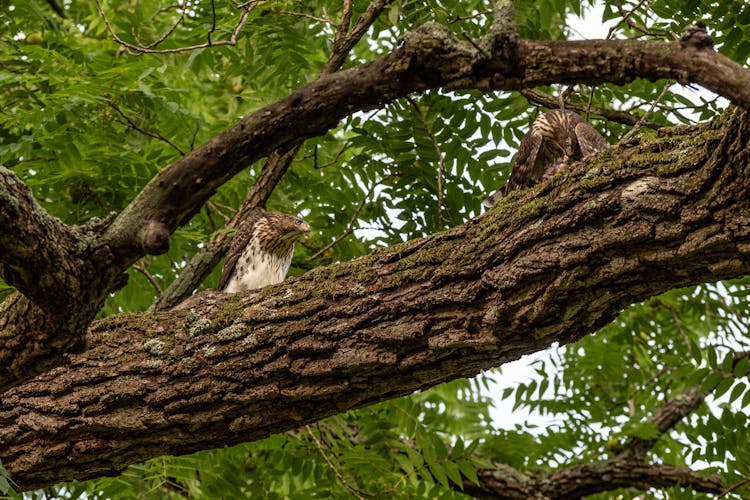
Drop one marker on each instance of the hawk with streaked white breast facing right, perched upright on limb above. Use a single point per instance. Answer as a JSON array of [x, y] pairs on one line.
[[261, 251]]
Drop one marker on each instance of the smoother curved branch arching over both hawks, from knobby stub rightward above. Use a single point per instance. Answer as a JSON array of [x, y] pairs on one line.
[[430, 58]]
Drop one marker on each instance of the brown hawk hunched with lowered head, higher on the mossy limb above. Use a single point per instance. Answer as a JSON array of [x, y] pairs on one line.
[[556, 139]]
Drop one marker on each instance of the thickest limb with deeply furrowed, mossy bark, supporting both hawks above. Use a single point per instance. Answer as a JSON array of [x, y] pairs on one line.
[[547, 265]]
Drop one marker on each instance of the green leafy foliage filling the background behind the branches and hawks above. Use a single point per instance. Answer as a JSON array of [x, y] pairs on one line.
[[86, 124]]
